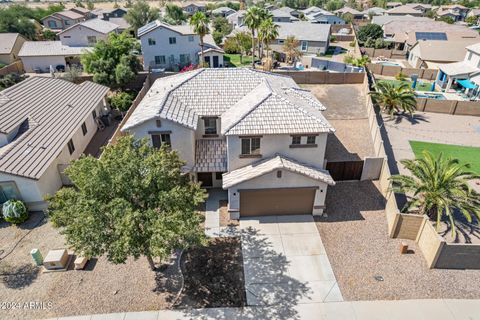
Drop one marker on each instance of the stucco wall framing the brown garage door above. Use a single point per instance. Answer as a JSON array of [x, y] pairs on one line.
[[288, 180]]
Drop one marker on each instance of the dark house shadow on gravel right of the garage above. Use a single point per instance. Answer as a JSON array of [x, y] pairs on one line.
[[346, 201]]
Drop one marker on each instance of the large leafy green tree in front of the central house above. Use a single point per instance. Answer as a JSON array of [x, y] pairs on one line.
[[134, 201]]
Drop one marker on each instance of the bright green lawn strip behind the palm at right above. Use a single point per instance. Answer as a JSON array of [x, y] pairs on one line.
[[469, 155]]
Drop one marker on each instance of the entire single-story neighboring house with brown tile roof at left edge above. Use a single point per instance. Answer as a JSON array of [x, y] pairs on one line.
[[45, 124]]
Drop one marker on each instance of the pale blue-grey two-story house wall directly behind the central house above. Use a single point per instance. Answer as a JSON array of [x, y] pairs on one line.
[[184, 45]]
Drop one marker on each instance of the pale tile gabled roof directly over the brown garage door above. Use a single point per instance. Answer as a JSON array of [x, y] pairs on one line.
[[268, 165]]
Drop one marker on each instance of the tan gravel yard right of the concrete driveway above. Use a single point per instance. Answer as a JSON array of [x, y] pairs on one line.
[[355, 237]]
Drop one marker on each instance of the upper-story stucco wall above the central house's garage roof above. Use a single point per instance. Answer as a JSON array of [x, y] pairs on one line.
[[272, 144]]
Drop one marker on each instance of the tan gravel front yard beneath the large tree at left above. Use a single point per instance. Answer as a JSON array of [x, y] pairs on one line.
[[101, 288]]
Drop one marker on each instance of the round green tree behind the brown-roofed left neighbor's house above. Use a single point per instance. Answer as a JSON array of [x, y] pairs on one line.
[[111, 62]]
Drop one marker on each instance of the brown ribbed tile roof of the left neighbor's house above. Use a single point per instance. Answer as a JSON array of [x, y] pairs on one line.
[[48, 112]]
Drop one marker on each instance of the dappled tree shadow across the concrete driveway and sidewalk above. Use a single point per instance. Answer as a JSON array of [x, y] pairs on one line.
[[270, 292]]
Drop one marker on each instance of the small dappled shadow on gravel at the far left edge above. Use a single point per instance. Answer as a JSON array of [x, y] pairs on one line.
[[19, 277]]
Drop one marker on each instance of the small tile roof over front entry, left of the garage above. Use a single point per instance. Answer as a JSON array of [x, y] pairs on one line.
[[210, 155]]
